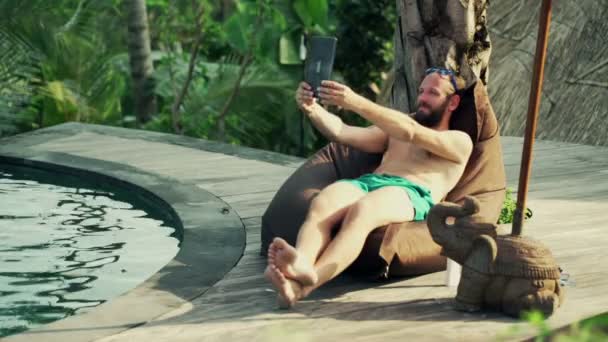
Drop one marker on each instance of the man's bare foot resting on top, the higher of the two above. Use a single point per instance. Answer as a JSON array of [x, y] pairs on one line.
[[293, 266]]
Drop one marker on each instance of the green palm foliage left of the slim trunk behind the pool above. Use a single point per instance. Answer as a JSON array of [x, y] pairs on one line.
[[58, 63]]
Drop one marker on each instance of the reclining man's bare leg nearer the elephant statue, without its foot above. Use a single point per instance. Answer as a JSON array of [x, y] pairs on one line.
[[381, 207]]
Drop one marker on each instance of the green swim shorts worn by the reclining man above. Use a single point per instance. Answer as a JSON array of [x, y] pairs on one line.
[[419, 195]]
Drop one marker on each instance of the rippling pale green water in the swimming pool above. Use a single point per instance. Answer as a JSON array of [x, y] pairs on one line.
[[66, 246]]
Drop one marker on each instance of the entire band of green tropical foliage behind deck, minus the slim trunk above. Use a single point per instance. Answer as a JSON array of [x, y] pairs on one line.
[[223, 69]]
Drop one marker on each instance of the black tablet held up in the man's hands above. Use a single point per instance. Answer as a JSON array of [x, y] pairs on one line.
[[320, 55]]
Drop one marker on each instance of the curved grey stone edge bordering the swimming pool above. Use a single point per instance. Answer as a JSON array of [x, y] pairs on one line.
[[213, 242]]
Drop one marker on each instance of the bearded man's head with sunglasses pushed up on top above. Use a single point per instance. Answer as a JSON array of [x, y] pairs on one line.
[[437, 97]]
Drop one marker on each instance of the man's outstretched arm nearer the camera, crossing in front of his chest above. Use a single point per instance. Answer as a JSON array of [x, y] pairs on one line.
[[451, 145]]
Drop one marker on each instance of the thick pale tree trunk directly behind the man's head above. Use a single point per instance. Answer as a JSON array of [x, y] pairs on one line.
[[444, 33]]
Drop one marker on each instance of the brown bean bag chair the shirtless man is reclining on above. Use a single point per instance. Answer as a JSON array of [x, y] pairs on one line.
[[404, 248]]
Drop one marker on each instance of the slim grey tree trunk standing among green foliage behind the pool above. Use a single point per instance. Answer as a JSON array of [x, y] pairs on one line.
[[140, 58]]
